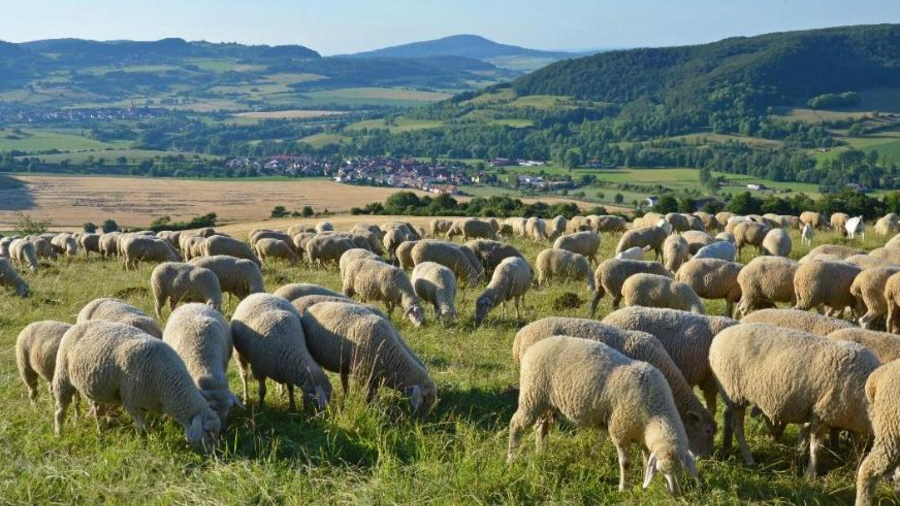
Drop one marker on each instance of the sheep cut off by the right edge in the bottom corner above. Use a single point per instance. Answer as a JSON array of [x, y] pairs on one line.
[[882, 391]]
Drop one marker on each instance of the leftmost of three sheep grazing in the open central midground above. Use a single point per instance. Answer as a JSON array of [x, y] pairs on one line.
[[373, 280]]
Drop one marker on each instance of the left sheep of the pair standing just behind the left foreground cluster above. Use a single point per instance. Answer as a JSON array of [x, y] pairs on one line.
[[177, 283]]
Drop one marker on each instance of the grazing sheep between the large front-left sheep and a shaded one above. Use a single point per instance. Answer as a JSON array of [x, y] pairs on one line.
[[202, 338]]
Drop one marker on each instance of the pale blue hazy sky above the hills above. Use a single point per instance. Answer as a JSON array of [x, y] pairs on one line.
[[338, 26]]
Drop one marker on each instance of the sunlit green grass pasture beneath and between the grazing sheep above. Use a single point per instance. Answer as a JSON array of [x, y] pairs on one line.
[[355, 453]]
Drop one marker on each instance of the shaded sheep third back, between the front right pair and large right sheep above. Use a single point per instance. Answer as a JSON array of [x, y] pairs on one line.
[[685, 336]]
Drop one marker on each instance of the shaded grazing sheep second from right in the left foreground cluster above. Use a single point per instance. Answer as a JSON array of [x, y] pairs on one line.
[[269, 339]]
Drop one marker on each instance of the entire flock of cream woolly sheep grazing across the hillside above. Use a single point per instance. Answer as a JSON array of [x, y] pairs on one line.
[[632, 374]]
